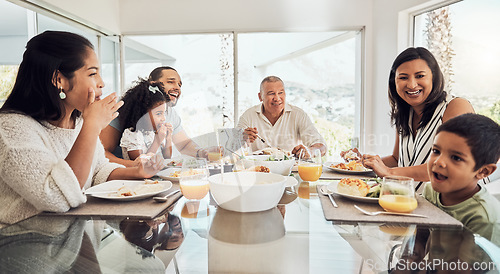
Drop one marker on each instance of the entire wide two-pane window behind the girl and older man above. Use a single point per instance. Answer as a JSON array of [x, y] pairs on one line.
[[319, 70]]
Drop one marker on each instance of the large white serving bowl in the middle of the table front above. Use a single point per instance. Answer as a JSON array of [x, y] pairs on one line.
[[247, 191]]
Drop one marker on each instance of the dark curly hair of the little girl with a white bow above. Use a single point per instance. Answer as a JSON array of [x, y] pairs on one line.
[[138, 100]]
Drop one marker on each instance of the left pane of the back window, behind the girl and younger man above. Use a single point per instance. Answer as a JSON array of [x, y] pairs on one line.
[[206, 102]]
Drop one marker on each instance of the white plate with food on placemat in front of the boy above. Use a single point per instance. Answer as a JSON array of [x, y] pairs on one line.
[[356, 189]]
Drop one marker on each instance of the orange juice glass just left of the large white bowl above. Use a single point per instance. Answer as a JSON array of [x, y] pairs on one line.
[[193, 179]]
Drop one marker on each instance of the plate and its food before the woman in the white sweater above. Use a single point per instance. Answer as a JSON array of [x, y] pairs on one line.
[[128, 190]]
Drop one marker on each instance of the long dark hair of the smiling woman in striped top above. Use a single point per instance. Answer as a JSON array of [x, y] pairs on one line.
[[400, 110]]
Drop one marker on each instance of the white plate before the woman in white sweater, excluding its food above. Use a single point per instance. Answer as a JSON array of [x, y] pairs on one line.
[[96, 191]]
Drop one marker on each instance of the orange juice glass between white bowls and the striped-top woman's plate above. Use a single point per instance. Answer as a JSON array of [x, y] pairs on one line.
[[310, 165]]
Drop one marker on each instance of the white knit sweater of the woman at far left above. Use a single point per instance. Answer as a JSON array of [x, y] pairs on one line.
[[34, 176]]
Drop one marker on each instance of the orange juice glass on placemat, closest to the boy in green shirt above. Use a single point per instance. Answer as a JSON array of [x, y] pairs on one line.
[[397, 194]]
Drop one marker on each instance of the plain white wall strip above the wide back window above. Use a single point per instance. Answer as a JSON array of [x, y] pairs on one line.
[[186, 16]]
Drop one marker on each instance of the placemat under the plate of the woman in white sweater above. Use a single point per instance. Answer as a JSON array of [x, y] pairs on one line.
[[143, 209]]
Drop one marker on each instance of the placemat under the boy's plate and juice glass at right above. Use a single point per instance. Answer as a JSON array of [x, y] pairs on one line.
[[346, 213]]
